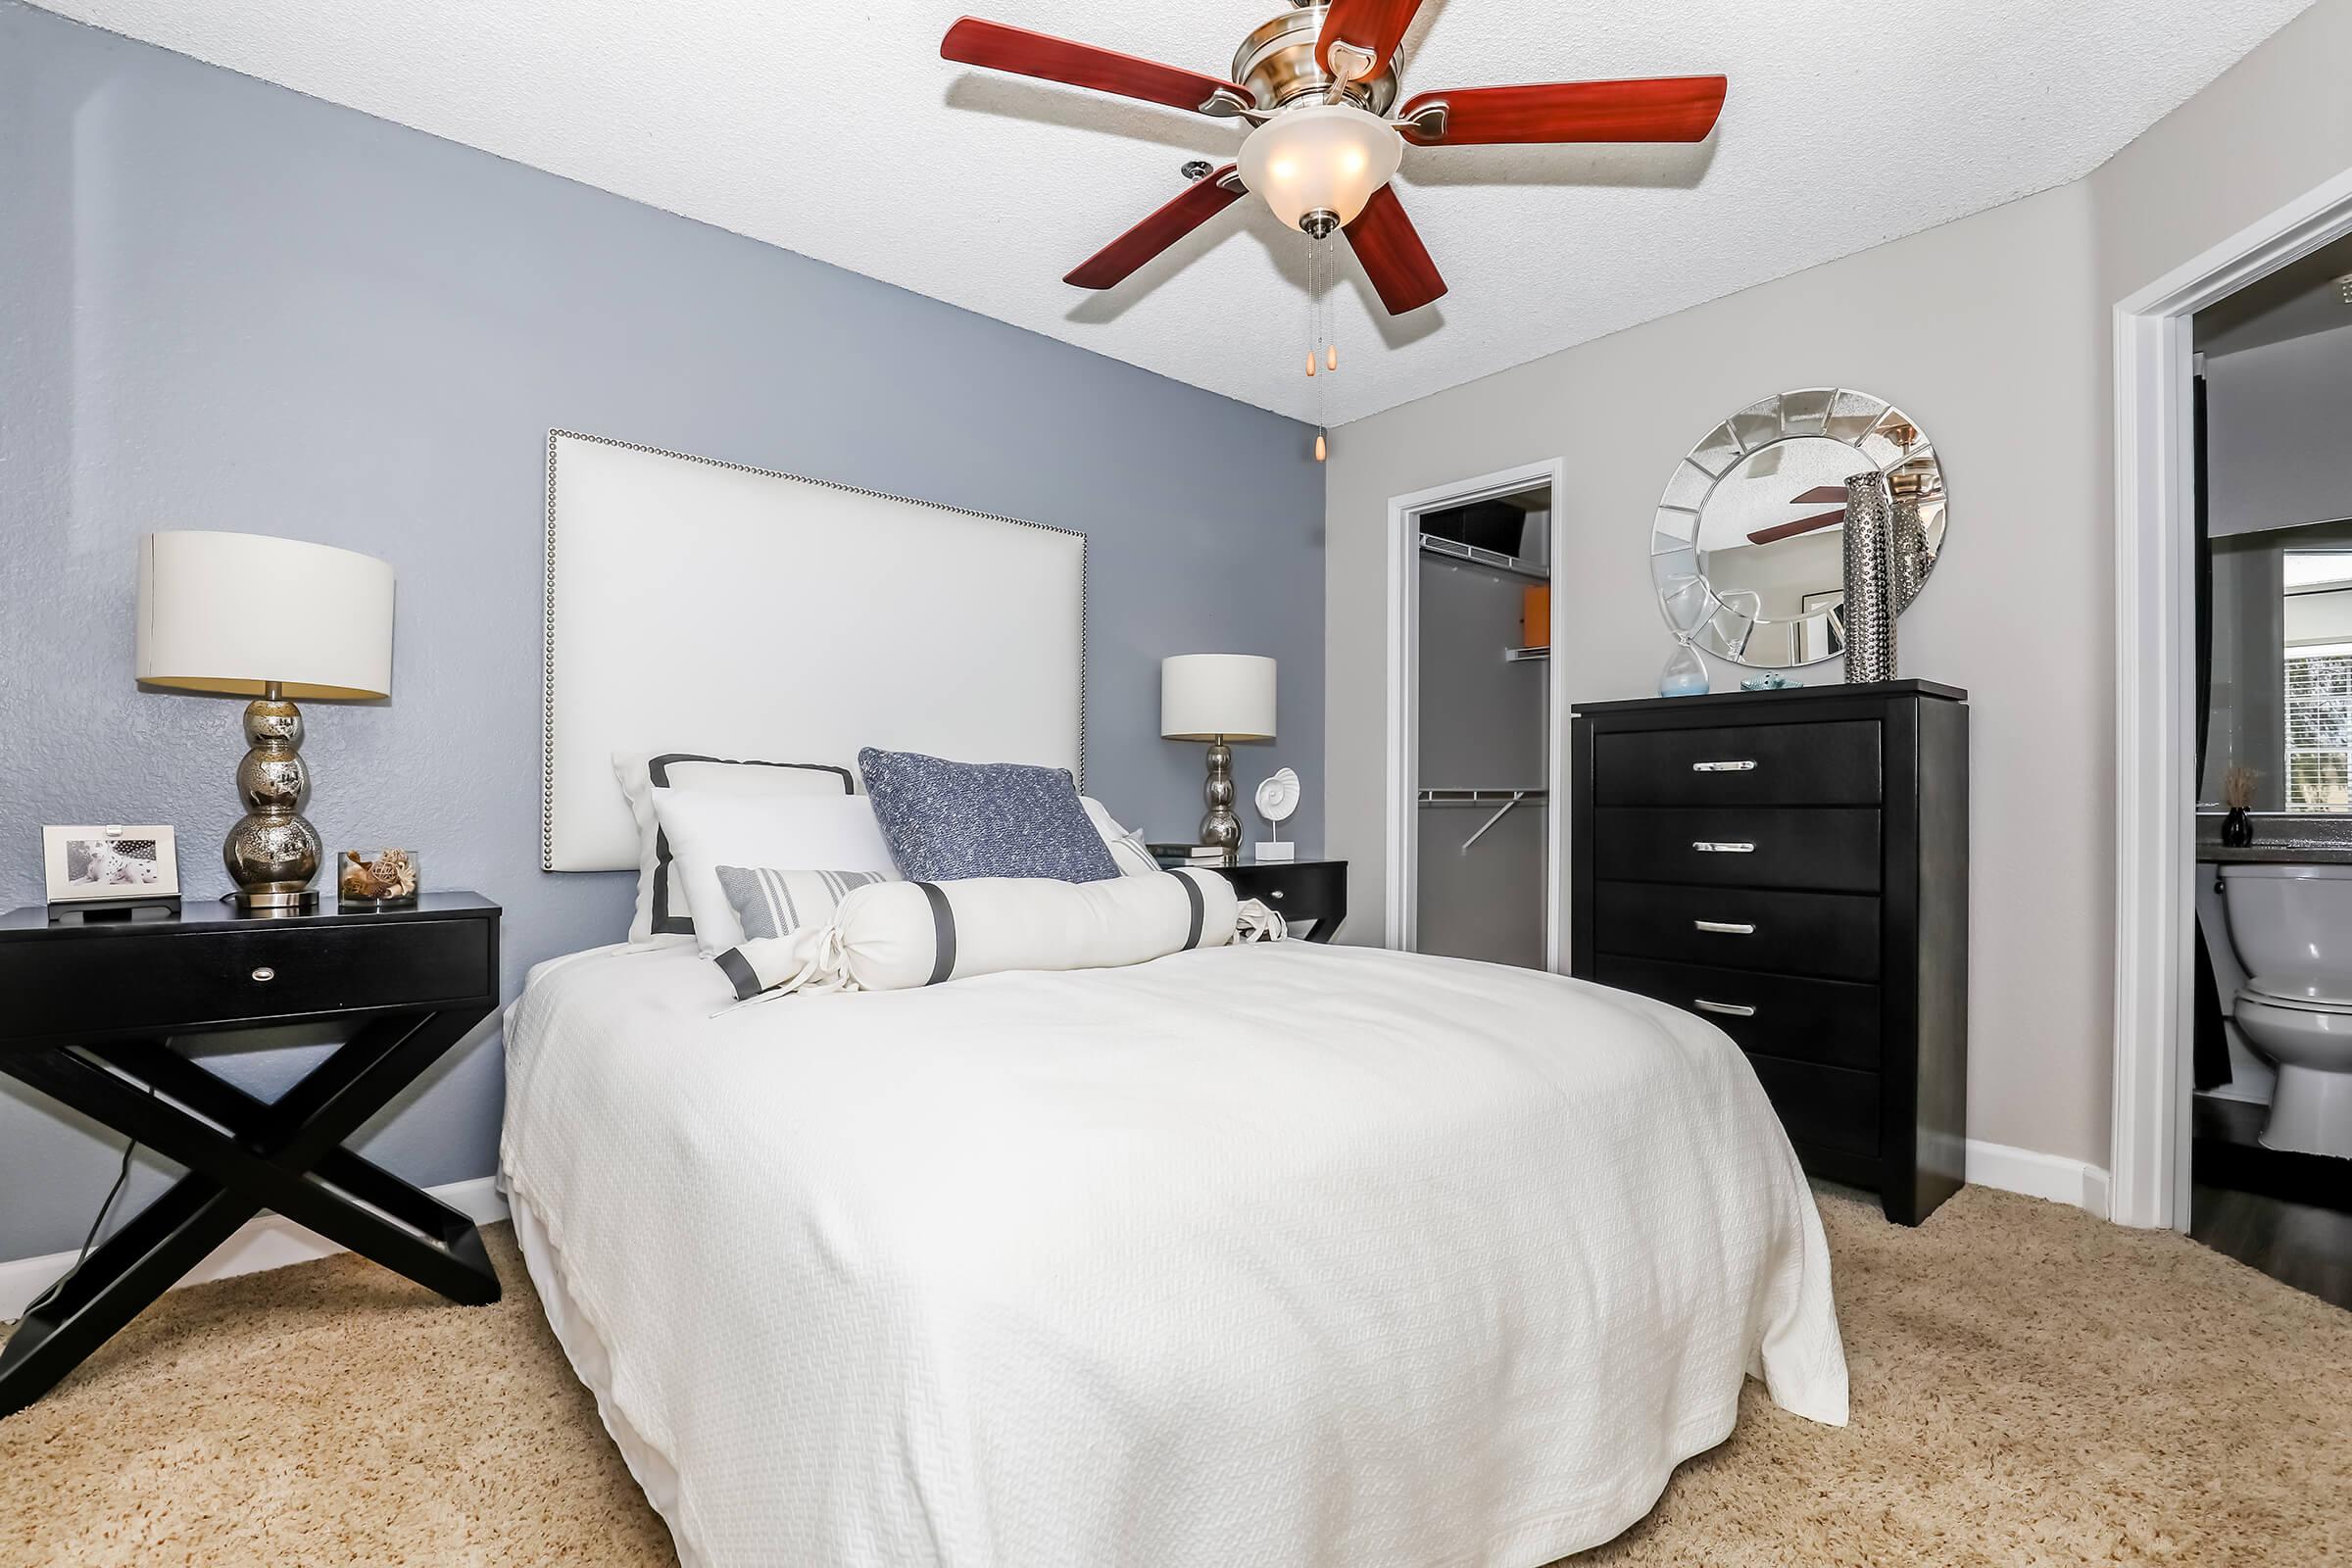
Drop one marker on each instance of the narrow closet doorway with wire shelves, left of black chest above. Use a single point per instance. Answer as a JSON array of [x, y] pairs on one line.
[[1476, 855]]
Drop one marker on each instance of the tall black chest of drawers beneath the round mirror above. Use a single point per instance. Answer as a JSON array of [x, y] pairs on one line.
[[1793, 866]]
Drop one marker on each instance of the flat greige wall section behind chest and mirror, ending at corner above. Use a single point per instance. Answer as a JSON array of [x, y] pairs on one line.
[[2003, 617]]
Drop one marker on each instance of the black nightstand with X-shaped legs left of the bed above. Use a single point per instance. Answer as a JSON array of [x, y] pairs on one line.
[[88, 1017]]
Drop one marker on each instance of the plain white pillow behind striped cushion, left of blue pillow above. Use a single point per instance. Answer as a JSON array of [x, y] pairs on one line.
[[707, 831]]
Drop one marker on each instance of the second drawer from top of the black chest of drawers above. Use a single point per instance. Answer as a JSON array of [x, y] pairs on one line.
[[1803, 847]]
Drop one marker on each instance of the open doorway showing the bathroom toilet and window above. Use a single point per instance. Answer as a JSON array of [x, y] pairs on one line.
[[2271, 1014]]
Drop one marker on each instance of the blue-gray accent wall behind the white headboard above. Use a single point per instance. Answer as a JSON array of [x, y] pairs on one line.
[[229, 307]]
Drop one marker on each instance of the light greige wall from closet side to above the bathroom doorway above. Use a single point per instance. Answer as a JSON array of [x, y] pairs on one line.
[[1996, 335]]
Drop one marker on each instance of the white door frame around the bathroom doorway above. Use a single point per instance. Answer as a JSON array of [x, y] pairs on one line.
[[2156, 723]]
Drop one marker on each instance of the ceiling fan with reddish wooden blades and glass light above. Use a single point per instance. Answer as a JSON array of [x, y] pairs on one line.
[[1318, 86]]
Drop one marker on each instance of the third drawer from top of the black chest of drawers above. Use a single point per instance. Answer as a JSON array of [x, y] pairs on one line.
[[1805, 934]]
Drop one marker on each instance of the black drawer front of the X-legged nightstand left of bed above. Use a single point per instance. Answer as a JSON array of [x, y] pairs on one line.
[[203, 979]]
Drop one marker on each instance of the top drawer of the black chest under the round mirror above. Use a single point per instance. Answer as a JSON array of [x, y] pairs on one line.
[[1753, 765]]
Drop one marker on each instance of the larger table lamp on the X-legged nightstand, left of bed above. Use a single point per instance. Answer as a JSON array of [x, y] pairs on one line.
[[274, 619]]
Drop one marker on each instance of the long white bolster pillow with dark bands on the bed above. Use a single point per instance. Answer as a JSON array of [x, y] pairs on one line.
[[904, 934]]
